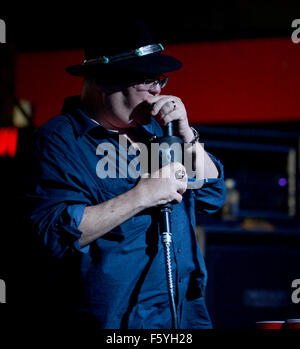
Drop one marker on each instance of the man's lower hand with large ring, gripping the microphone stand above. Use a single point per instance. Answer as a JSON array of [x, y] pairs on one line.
[[162, 186]]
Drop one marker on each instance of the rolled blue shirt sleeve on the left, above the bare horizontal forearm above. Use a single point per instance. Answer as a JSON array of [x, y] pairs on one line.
[[56, 197]]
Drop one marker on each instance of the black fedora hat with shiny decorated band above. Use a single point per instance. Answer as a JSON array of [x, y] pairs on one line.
[[128, 48]]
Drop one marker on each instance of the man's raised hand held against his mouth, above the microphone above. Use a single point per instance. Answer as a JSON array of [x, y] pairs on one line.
[[171, 108]]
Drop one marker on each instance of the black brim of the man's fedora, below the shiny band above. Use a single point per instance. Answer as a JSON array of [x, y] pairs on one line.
[[156, 64]]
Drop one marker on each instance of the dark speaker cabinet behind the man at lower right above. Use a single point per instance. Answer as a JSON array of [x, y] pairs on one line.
[[250, 277]]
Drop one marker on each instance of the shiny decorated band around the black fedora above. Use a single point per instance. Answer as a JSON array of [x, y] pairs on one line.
[[139, 52]]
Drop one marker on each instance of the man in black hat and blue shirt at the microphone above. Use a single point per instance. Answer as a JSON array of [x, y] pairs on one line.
[[106, 257]]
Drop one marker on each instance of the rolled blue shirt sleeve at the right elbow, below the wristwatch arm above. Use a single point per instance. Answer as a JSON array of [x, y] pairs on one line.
[[211, 196]]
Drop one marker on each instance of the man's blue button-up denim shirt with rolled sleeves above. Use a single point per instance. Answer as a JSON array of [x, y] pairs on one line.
[[119, 279]]
